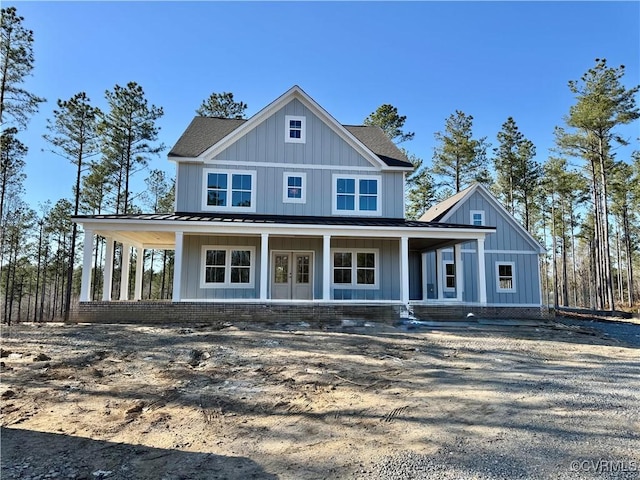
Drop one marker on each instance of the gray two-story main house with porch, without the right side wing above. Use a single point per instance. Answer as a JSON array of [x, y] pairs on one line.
[[291, 208]]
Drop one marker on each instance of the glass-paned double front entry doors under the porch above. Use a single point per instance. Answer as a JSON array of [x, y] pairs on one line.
[[291, 275]]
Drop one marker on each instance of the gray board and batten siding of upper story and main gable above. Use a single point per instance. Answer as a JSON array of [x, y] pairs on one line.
[[324, 154]]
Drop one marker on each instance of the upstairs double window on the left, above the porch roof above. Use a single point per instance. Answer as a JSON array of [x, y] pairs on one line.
[[229, 190]]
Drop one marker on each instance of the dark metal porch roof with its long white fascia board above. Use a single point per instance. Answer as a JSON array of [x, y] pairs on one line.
[[241, 228]]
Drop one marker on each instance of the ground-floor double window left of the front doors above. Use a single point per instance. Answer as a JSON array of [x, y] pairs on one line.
[[227, 267]]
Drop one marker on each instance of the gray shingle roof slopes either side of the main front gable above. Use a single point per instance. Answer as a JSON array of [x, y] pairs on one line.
[[203, 132]]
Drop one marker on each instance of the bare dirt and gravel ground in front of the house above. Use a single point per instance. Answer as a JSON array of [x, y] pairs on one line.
[[470, 400]]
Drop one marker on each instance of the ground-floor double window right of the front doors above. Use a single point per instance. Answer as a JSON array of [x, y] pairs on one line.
[[355, 268]]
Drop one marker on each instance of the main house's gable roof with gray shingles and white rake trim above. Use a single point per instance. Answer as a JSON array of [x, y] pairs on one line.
[[211, 135]]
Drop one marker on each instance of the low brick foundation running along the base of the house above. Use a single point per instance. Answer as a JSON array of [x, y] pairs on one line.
[[315, 314]]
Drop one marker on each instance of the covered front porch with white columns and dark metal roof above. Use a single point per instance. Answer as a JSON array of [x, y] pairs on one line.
[[255, 259]]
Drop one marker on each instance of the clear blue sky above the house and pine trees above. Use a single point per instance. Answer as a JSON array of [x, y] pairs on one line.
[[491, 60]]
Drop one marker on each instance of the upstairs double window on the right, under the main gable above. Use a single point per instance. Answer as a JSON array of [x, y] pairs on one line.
[[356, 195]]
